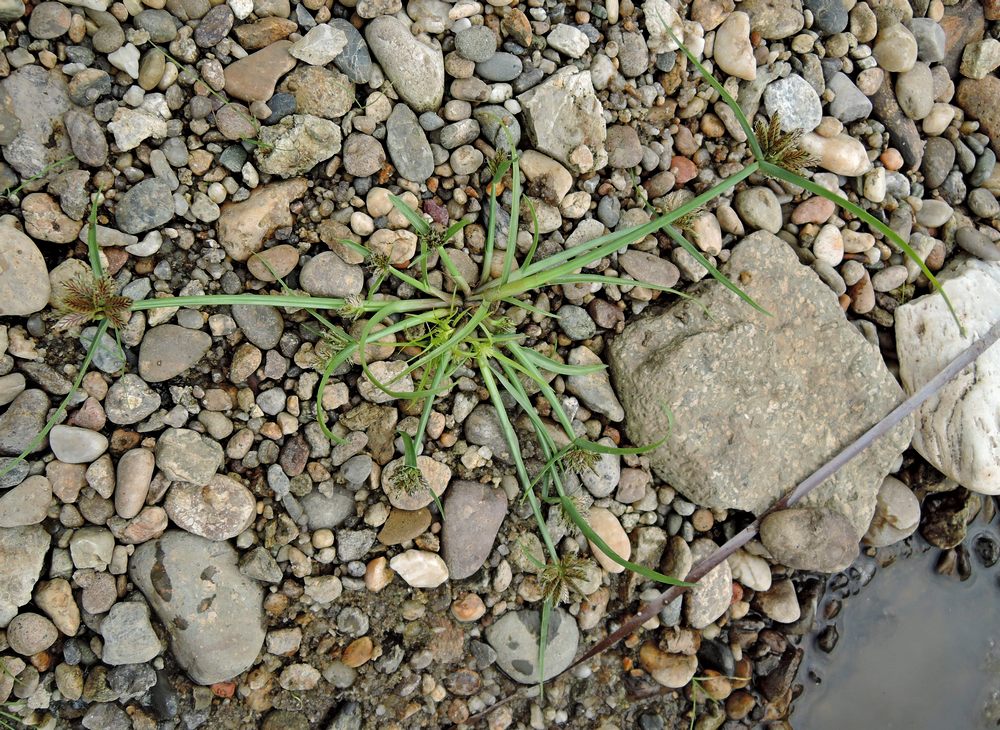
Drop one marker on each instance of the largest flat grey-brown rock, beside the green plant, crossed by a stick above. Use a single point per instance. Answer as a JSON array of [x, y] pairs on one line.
[[759, 401]]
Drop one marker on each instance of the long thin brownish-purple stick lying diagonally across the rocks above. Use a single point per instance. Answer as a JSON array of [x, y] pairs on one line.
[[886, 424]]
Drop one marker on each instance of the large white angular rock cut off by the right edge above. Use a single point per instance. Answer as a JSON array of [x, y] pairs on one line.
[[958, 428]]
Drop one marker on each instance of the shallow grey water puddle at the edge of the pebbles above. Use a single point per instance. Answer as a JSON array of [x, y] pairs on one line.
[[917, 650]]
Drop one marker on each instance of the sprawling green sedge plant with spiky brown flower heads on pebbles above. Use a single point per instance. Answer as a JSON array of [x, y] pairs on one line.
[[469, 320]]
